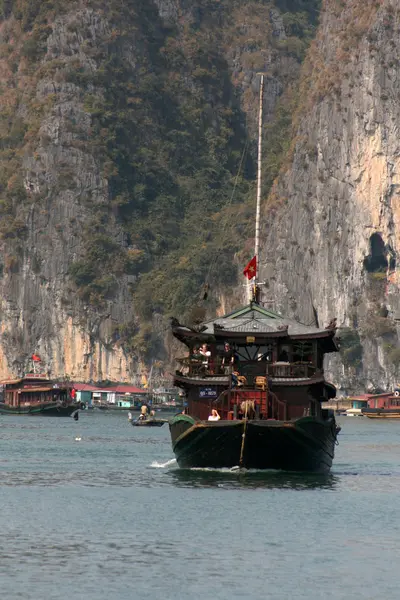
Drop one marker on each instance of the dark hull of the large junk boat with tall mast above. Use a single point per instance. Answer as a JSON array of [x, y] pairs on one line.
[[305, 444]]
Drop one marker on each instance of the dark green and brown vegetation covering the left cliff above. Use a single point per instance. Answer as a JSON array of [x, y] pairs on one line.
[[171, 108]]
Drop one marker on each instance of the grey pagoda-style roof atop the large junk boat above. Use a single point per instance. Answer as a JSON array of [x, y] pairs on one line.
[[257, 322]]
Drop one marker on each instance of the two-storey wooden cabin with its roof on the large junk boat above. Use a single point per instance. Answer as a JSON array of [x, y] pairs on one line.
[[255, 355]]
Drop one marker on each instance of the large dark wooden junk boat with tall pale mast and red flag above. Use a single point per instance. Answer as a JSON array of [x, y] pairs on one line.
[[270, 401]]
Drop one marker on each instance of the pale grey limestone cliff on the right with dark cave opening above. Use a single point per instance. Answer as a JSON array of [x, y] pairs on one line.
[[331, 226]]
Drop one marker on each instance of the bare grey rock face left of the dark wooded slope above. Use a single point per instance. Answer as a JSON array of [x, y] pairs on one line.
[[40, 310]]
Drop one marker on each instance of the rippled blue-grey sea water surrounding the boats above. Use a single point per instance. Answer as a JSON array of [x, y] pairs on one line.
[[99, 510]]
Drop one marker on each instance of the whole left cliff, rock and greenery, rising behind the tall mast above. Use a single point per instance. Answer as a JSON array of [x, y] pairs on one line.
[[127, 129]]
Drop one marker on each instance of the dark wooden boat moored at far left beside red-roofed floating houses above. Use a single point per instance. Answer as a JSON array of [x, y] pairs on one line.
[[36, 394]]
